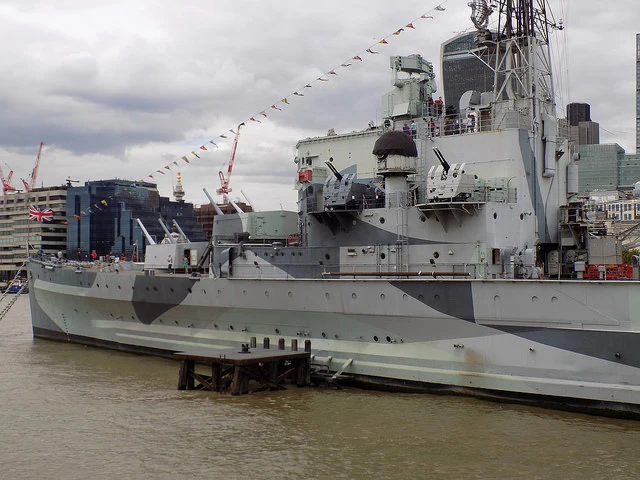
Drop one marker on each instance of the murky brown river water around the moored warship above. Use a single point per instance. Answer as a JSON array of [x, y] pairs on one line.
[[74, 412]]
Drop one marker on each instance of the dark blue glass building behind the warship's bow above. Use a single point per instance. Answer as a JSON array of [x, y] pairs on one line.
[[103, 216]]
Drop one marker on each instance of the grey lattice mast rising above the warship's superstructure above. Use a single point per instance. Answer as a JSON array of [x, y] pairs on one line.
[[523, 96]]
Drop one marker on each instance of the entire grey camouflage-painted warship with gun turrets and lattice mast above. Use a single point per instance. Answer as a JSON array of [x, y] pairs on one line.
[[453, 255]]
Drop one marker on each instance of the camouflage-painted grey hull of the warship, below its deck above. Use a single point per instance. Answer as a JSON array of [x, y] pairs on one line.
[[561, 343]]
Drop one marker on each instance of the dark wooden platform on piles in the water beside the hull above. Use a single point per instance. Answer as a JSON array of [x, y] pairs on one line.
[[231, 371]]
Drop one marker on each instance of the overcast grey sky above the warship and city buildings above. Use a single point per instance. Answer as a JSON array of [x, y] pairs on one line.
[[125, 88]]
